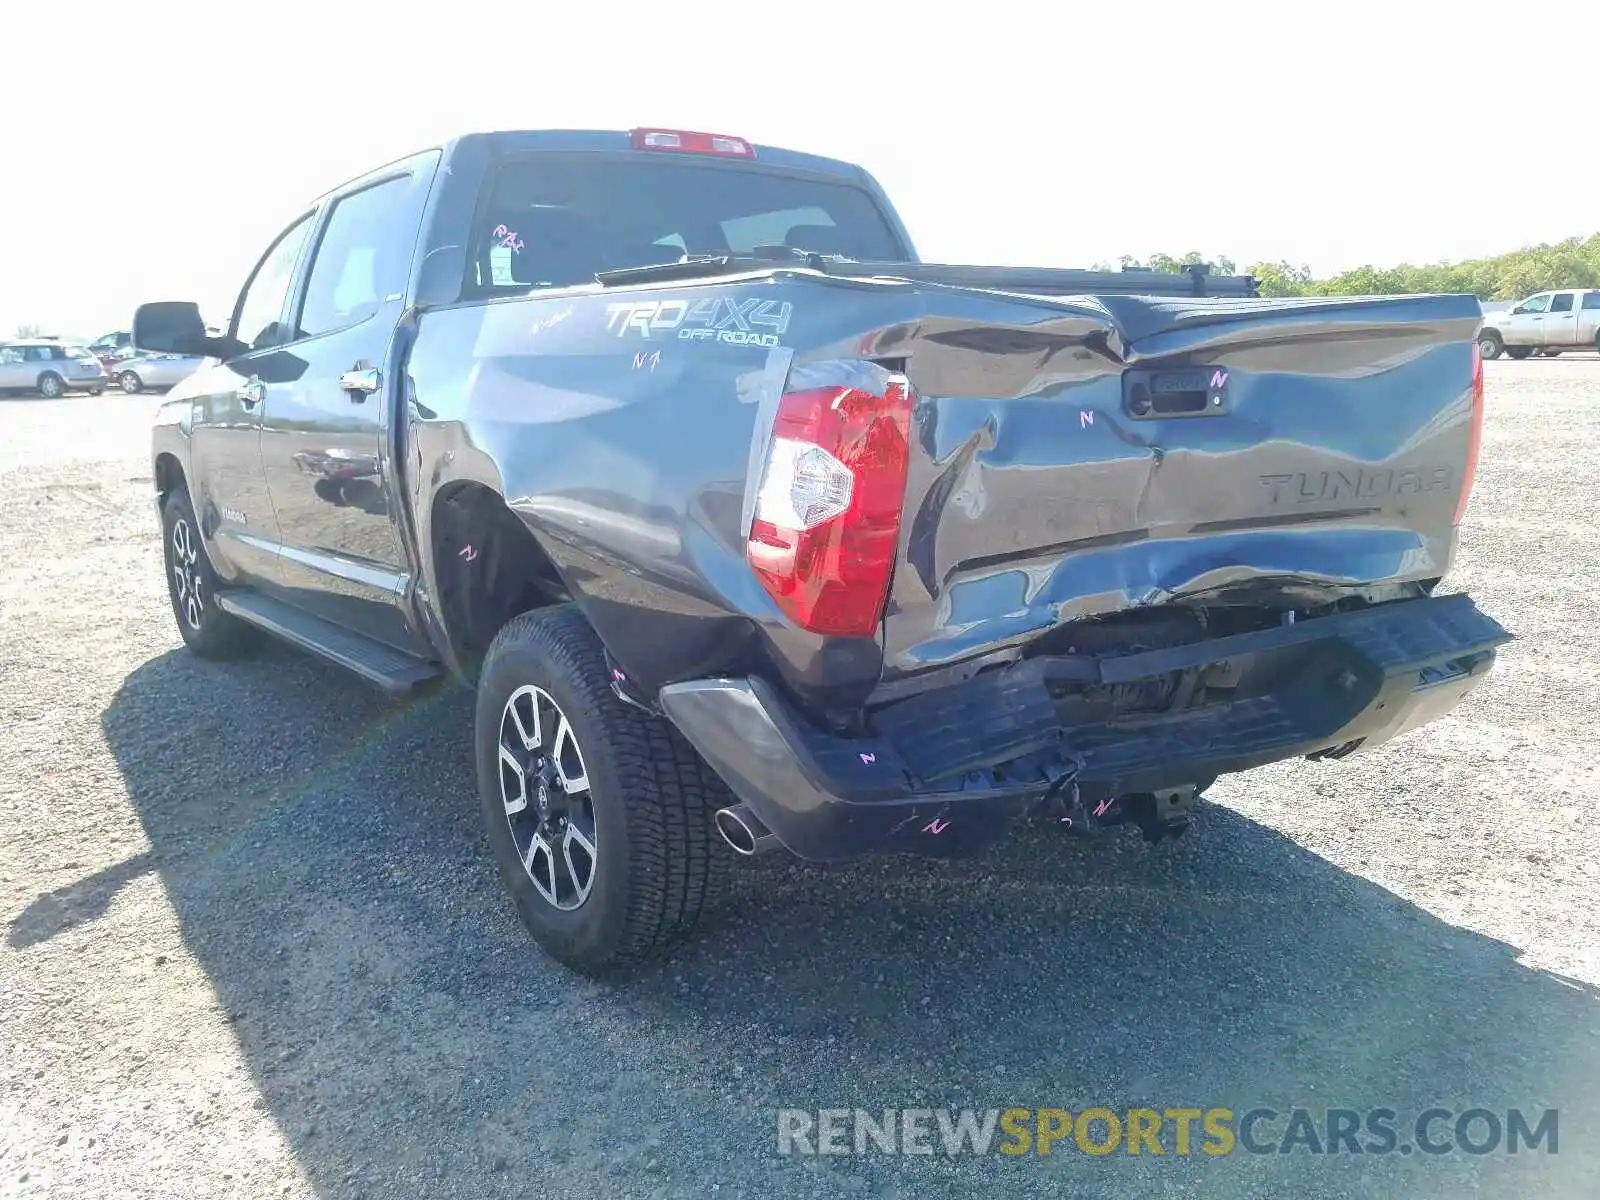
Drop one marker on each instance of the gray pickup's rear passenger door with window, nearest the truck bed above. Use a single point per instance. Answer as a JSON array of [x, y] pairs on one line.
[[326, 433]]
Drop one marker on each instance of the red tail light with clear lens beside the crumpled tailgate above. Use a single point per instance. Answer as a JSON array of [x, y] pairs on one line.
[[828, 513]]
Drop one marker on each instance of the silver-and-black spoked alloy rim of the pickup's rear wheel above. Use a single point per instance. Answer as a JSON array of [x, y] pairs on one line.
[[545, 790]]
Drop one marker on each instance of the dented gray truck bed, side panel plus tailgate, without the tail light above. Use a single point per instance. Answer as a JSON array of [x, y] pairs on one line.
[[628, 434]]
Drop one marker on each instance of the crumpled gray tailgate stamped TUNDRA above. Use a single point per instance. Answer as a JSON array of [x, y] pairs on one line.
[[1084, 457]]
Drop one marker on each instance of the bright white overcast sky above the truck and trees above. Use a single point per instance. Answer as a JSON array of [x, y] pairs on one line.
[[166, 145]]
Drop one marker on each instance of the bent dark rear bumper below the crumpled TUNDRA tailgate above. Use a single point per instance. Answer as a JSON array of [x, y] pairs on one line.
[[946, 772]]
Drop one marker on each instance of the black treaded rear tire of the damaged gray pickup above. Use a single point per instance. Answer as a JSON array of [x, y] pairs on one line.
[[649, 801]]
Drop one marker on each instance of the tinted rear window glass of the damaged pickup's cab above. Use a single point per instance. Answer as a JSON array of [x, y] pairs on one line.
[[558, 222]]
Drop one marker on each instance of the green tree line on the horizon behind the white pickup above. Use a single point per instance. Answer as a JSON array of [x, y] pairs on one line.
[[1574, 263]]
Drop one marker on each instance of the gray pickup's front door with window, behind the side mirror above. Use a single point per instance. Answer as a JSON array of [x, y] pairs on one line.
[[228, 487]]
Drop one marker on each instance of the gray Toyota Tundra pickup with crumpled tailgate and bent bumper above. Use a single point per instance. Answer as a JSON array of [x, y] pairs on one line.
[[753, 532]]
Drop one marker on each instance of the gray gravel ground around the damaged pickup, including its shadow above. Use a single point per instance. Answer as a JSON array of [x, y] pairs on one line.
[[255, 946]]
